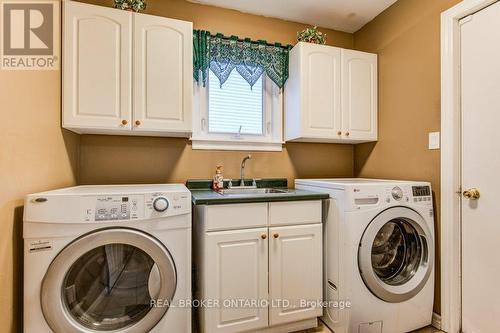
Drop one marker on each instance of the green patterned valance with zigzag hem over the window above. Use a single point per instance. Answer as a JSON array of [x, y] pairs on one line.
[[251, 59]]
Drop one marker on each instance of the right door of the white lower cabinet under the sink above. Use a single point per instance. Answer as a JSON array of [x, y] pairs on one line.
[[295, 273]]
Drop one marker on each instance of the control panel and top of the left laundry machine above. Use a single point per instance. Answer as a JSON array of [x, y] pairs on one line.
[[108, 204]]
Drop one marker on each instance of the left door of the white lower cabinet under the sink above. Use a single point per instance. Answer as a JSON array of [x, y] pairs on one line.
[[236, 270]]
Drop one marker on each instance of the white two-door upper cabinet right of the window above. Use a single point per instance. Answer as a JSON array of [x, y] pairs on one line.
[[331, 95]]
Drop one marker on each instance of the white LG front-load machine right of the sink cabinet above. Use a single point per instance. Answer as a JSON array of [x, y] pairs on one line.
[[379, 254]]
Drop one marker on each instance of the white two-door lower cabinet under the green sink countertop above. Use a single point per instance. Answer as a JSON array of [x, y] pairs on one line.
[[262, 277]]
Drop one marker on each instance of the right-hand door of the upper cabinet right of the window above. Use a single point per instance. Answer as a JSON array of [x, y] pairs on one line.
[[359, 95]]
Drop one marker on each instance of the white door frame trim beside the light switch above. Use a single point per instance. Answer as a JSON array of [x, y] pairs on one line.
[[451, 309]]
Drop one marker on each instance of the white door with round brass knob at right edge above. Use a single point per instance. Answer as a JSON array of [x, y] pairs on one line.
[[480, 82]]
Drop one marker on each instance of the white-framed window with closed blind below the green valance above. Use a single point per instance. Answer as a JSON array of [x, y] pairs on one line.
[[236, 116]]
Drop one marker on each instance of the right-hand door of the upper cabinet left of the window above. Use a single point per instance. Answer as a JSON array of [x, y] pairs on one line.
[[163, 68]]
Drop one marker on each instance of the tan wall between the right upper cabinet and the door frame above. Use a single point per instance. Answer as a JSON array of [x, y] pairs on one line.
[[407, 39]]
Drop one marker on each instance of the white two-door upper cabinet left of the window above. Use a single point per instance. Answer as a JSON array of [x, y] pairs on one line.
[[126, 73]]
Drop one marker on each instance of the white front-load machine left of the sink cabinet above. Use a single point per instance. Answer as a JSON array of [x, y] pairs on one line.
[[108, 259]]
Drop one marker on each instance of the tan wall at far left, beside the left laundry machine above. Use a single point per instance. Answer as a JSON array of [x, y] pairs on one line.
[[35, 155]]
